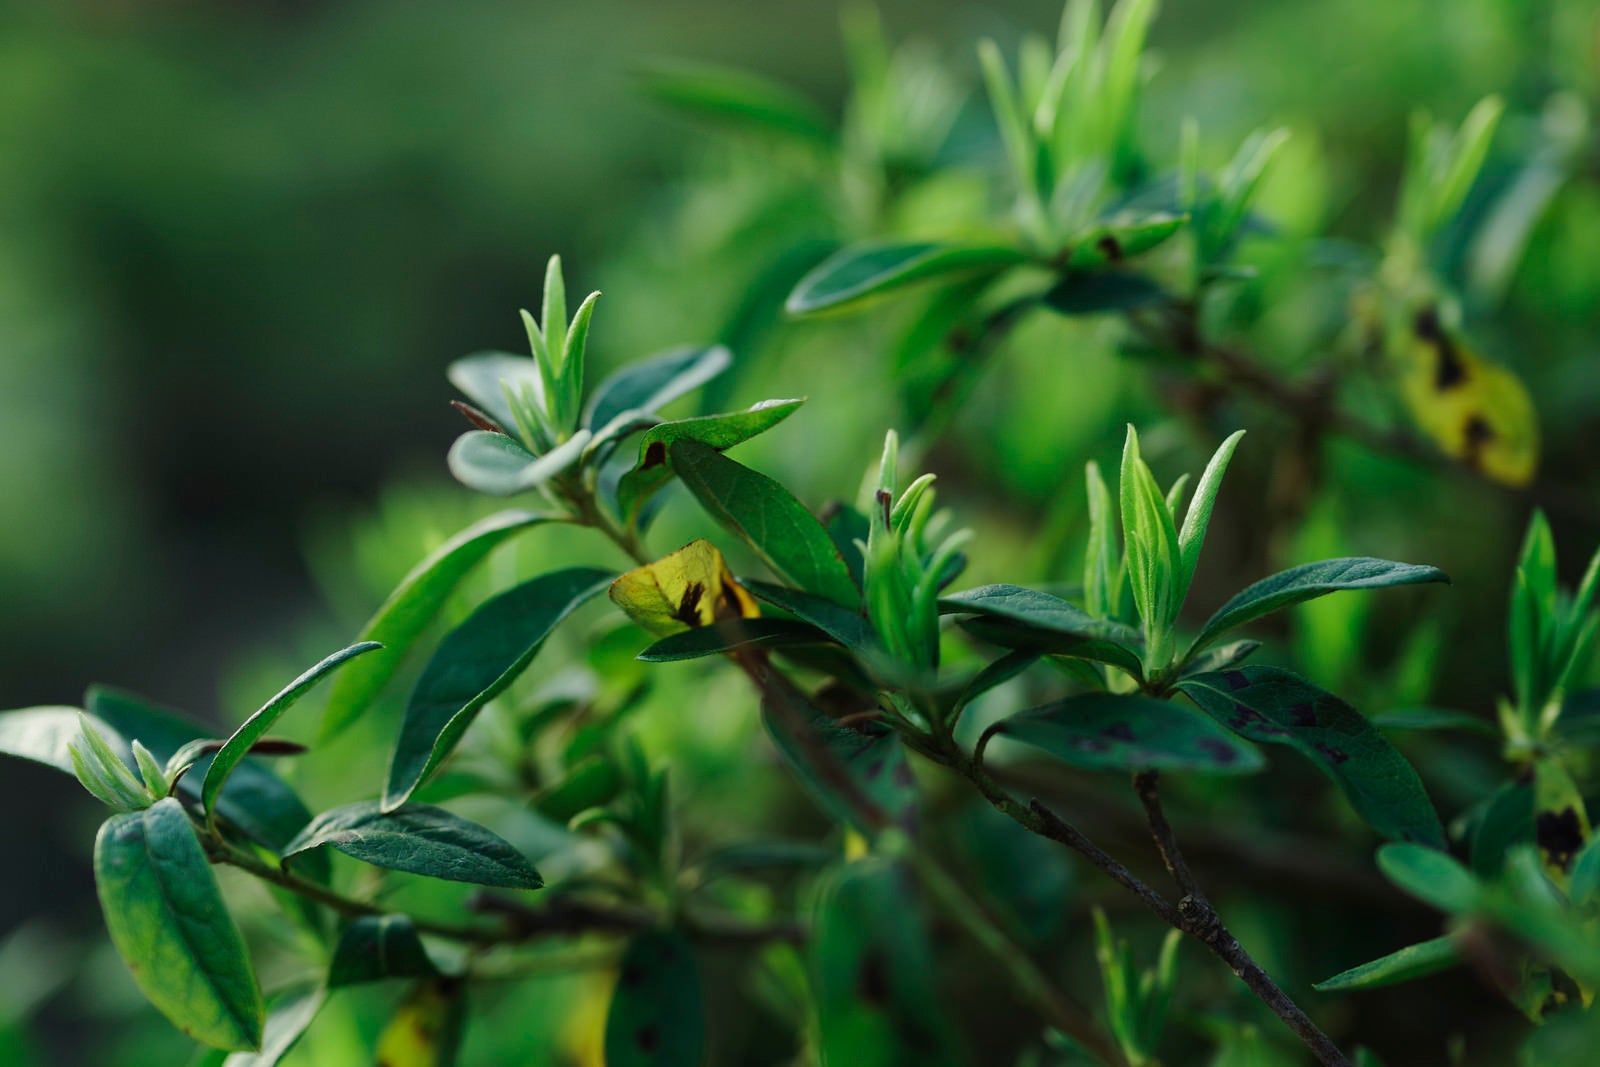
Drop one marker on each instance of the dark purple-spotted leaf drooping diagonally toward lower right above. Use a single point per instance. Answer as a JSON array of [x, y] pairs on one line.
[[1274, 706]]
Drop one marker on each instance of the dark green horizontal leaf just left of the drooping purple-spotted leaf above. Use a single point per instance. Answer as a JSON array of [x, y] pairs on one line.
[[1130, 732]]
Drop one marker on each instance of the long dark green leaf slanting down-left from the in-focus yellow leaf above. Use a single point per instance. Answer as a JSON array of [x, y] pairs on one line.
[[474, 665]]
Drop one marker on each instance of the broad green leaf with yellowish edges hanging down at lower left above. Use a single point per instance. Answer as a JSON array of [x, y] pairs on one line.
[[172, 929]]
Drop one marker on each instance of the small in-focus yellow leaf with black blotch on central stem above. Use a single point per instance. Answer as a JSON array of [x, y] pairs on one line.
[[686, 591]]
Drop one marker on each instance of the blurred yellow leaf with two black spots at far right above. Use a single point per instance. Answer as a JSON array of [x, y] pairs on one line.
[[1474, 410]]
